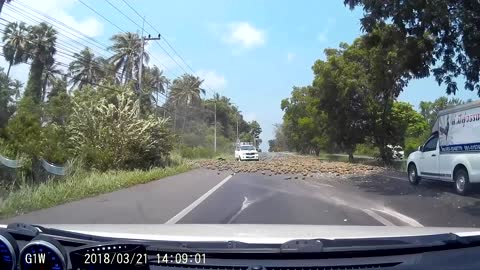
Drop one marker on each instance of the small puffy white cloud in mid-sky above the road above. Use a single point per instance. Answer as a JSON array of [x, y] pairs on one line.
[[244, 35]]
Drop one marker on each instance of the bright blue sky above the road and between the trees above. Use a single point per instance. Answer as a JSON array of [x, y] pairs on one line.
[[252, 51]]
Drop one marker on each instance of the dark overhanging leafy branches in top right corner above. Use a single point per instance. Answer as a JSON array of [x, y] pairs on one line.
[[445, 31]]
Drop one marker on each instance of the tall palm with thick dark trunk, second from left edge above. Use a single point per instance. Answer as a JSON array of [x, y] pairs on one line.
[[41, 49]]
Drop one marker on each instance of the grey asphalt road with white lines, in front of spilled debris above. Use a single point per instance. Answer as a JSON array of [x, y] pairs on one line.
[[207, 196]]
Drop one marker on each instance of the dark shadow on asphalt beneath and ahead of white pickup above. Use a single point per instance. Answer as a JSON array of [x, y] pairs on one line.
[[383, 185]]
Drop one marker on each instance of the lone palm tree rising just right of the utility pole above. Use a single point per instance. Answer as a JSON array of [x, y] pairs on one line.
[[186, 90]]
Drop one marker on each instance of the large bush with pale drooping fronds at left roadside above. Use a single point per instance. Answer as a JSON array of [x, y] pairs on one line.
[[108, 134]]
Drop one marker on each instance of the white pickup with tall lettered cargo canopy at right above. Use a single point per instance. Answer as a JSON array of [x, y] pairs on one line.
[[452, 153]]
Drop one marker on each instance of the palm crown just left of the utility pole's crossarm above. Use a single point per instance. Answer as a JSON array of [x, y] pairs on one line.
[[127, 48]]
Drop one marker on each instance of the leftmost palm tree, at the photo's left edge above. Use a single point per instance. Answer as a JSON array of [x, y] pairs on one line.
[[15, 44]]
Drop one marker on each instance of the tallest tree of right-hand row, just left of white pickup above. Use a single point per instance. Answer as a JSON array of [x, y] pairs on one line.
[[385, 57]]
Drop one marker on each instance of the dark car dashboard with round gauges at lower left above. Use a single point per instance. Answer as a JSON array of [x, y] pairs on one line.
[[30, 247]]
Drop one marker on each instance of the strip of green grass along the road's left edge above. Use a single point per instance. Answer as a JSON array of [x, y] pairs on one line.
[[29, 197]]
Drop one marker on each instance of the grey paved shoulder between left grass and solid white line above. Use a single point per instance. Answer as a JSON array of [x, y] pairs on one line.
[[153, 202]]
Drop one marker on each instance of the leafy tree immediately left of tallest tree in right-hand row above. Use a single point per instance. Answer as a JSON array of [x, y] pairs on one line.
[[340, 85]]
